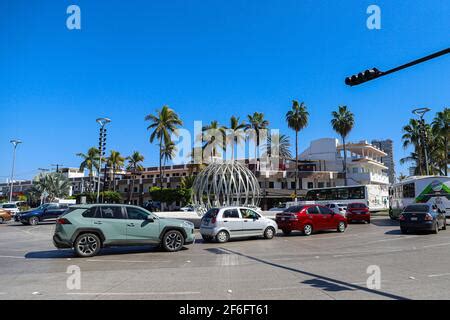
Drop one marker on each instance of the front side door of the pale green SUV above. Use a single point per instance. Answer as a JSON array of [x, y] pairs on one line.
[[139, 228]]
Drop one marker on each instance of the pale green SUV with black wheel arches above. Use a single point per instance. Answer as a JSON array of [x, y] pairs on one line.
[[88, 228]]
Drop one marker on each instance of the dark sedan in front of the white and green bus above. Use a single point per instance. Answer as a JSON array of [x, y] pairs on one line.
[[425, 216]]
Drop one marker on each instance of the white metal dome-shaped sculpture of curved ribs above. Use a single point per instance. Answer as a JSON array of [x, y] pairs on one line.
[[225, 183]]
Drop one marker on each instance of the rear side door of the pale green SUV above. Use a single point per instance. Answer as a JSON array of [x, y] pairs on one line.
[[111, 221]]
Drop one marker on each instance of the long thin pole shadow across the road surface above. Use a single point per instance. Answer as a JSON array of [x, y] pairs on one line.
[[321, 278]]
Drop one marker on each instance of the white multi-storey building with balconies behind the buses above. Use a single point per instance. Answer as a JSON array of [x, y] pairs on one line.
[[364, 164]]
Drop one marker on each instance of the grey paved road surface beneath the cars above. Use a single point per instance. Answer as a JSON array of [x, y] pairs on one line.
[[328, 265]]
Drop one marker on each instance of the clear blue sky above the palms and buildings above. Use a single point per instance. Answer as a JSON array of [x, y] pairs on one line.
[[207, 60]]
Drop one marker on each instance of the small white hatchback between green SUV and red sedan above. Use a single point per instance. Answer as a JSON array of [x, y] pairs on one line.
[[222, 224]]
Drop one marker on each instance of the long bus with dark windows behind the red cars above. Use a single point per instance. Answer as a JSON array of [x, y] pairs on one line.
[[375, 196]]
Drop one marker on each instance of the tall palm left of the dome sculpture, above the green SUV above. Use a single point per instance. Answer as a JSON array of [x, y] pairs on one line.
[[163, 123]]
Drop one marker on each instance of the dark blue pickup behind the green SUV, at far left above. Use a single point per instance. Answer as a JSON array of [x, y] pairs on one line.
[[45, 212]]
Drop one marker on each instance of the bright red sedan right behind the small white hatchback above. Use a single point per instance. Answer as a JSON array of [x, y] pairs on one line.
[[309, 218]]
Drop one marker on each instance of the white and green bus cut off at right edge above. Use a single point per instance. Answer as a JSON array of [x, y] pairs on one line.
[[420, 189]]
